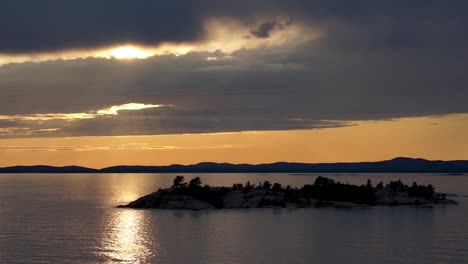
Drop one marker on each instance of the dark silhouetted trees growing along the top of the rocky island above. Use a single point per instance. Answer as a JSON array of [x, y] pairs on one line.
[[323, 189]]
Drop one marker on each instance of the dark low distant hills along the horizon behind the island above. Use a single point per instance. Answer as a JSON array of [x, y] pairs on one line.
[[397, 165]]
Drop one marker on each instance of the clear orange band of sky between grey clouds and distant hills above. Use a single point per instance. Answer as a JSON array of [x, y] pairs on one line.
[[425, 137]]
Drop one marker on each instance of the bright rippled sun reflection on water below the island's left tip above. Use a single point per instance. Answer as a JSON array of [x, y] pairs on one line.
[[127, 240]]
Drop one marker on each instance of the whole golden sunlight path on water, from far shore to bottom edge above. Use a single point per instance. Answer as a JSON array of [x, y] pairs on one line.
[[126, 237]]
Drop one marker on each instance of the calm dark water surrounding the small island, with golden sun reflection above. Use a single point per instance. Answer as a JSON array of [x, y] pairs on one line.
[[73, 219]]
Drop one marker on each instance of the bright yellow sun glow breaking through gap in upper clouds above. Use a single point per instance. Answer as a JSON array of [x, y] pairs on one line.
[[221, 34]]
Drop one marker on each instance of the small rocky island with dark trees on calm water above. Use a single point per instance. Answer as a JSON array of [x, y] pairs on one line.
[[324, 192]]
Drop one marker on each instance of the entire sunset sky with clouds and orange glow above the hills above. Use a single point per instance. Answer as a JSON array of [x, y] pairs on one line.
[[101, 83]]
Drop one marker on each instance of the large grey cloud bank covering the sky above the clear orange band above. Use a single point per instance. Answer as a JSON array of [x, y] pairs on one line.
[[276, 65]]
